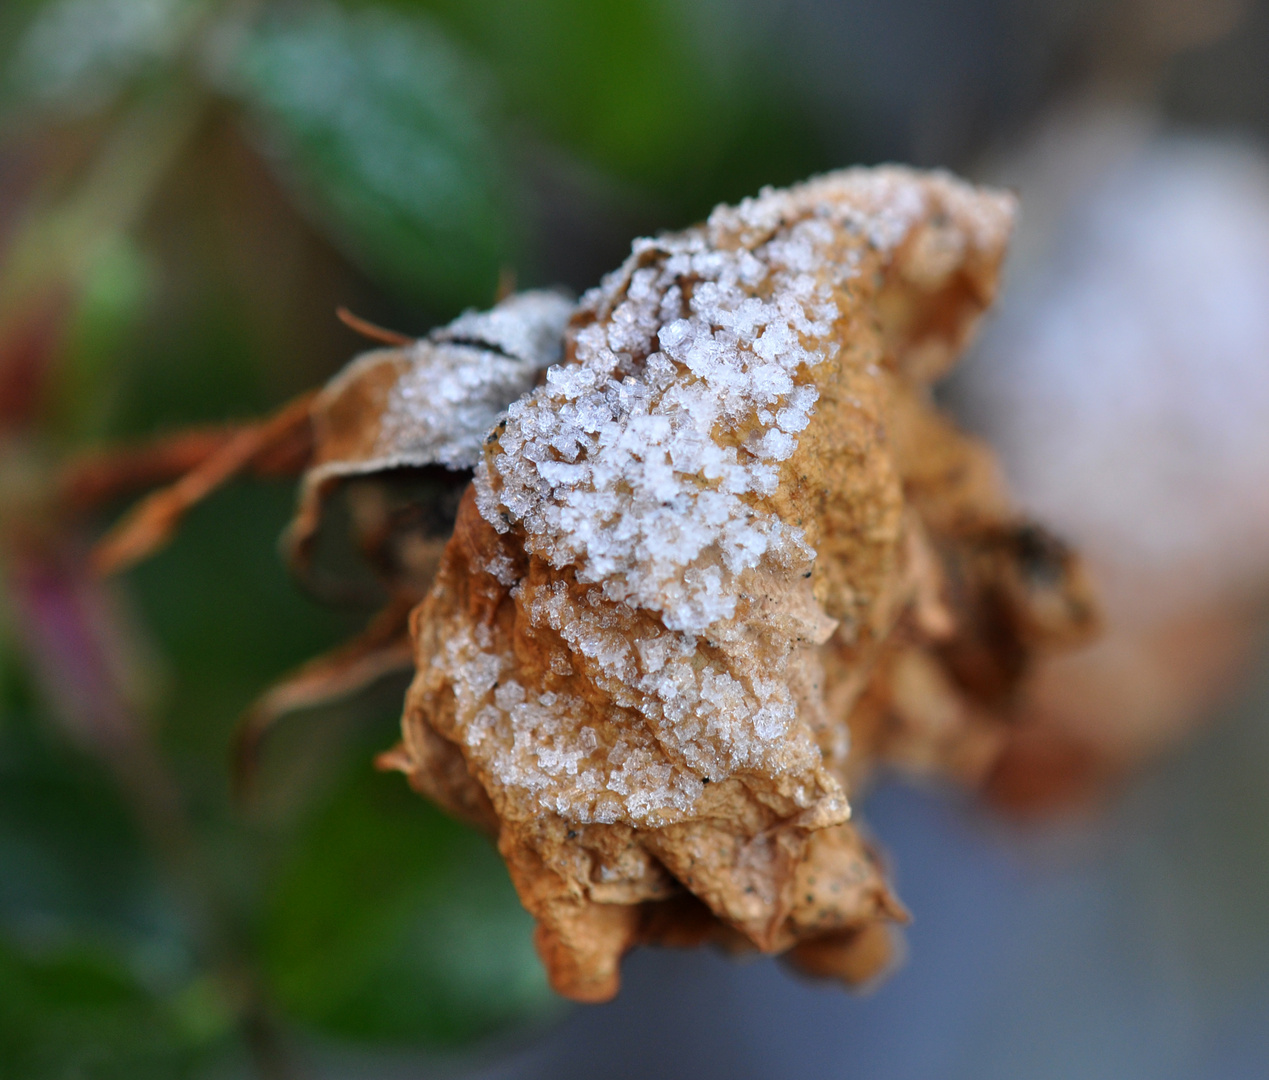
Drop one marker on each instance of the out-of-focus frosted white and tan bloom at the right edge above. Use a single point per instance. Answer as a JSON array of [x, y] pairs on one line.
[[1126, 386]]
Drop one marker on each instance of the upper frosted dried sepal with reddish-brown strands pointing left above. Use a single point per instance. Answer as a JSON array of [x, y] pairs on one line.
[[423, 403]]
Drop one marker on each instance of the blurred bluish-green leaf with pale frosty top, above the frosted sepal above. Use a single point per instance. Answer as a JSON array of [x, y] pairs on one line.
[[380, 125]]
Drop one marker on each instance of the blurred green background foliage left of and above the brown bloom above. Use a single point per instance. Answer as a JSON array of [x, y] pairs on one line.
[[188, 190]]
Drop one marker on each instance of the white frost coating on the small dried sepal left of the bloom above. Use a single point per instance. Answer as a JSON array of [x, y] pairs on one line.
[[464, 376]]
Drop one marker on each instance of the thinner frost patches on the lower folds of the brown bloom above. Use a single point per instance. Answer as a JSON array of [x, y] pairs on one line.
[[701, 723]]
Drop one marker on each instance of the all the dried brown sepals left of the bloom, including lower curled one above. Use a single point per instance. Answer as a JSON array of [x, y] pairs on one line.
[[423, 405]]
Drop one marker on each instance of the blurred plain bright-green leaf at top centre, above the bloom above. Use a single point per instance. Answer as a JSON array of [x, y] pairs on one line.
[[674, 97]]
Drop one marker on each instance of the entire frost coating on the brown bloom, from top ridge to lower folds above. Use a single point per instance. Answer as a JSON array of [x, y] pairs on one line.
[[644, 464]]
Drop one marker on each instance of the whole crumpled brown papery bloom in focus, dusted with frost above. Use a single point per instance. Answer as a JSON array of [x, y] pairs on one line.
[[723, 559]]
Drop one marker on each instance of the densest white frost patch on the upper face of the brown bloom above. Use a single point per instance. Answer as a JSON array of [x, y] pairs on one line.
[[640, 463]]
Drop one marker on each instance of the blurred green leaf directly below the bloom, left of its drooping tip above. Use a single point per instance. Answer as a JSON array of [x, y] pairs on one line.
[[391, 922]]
